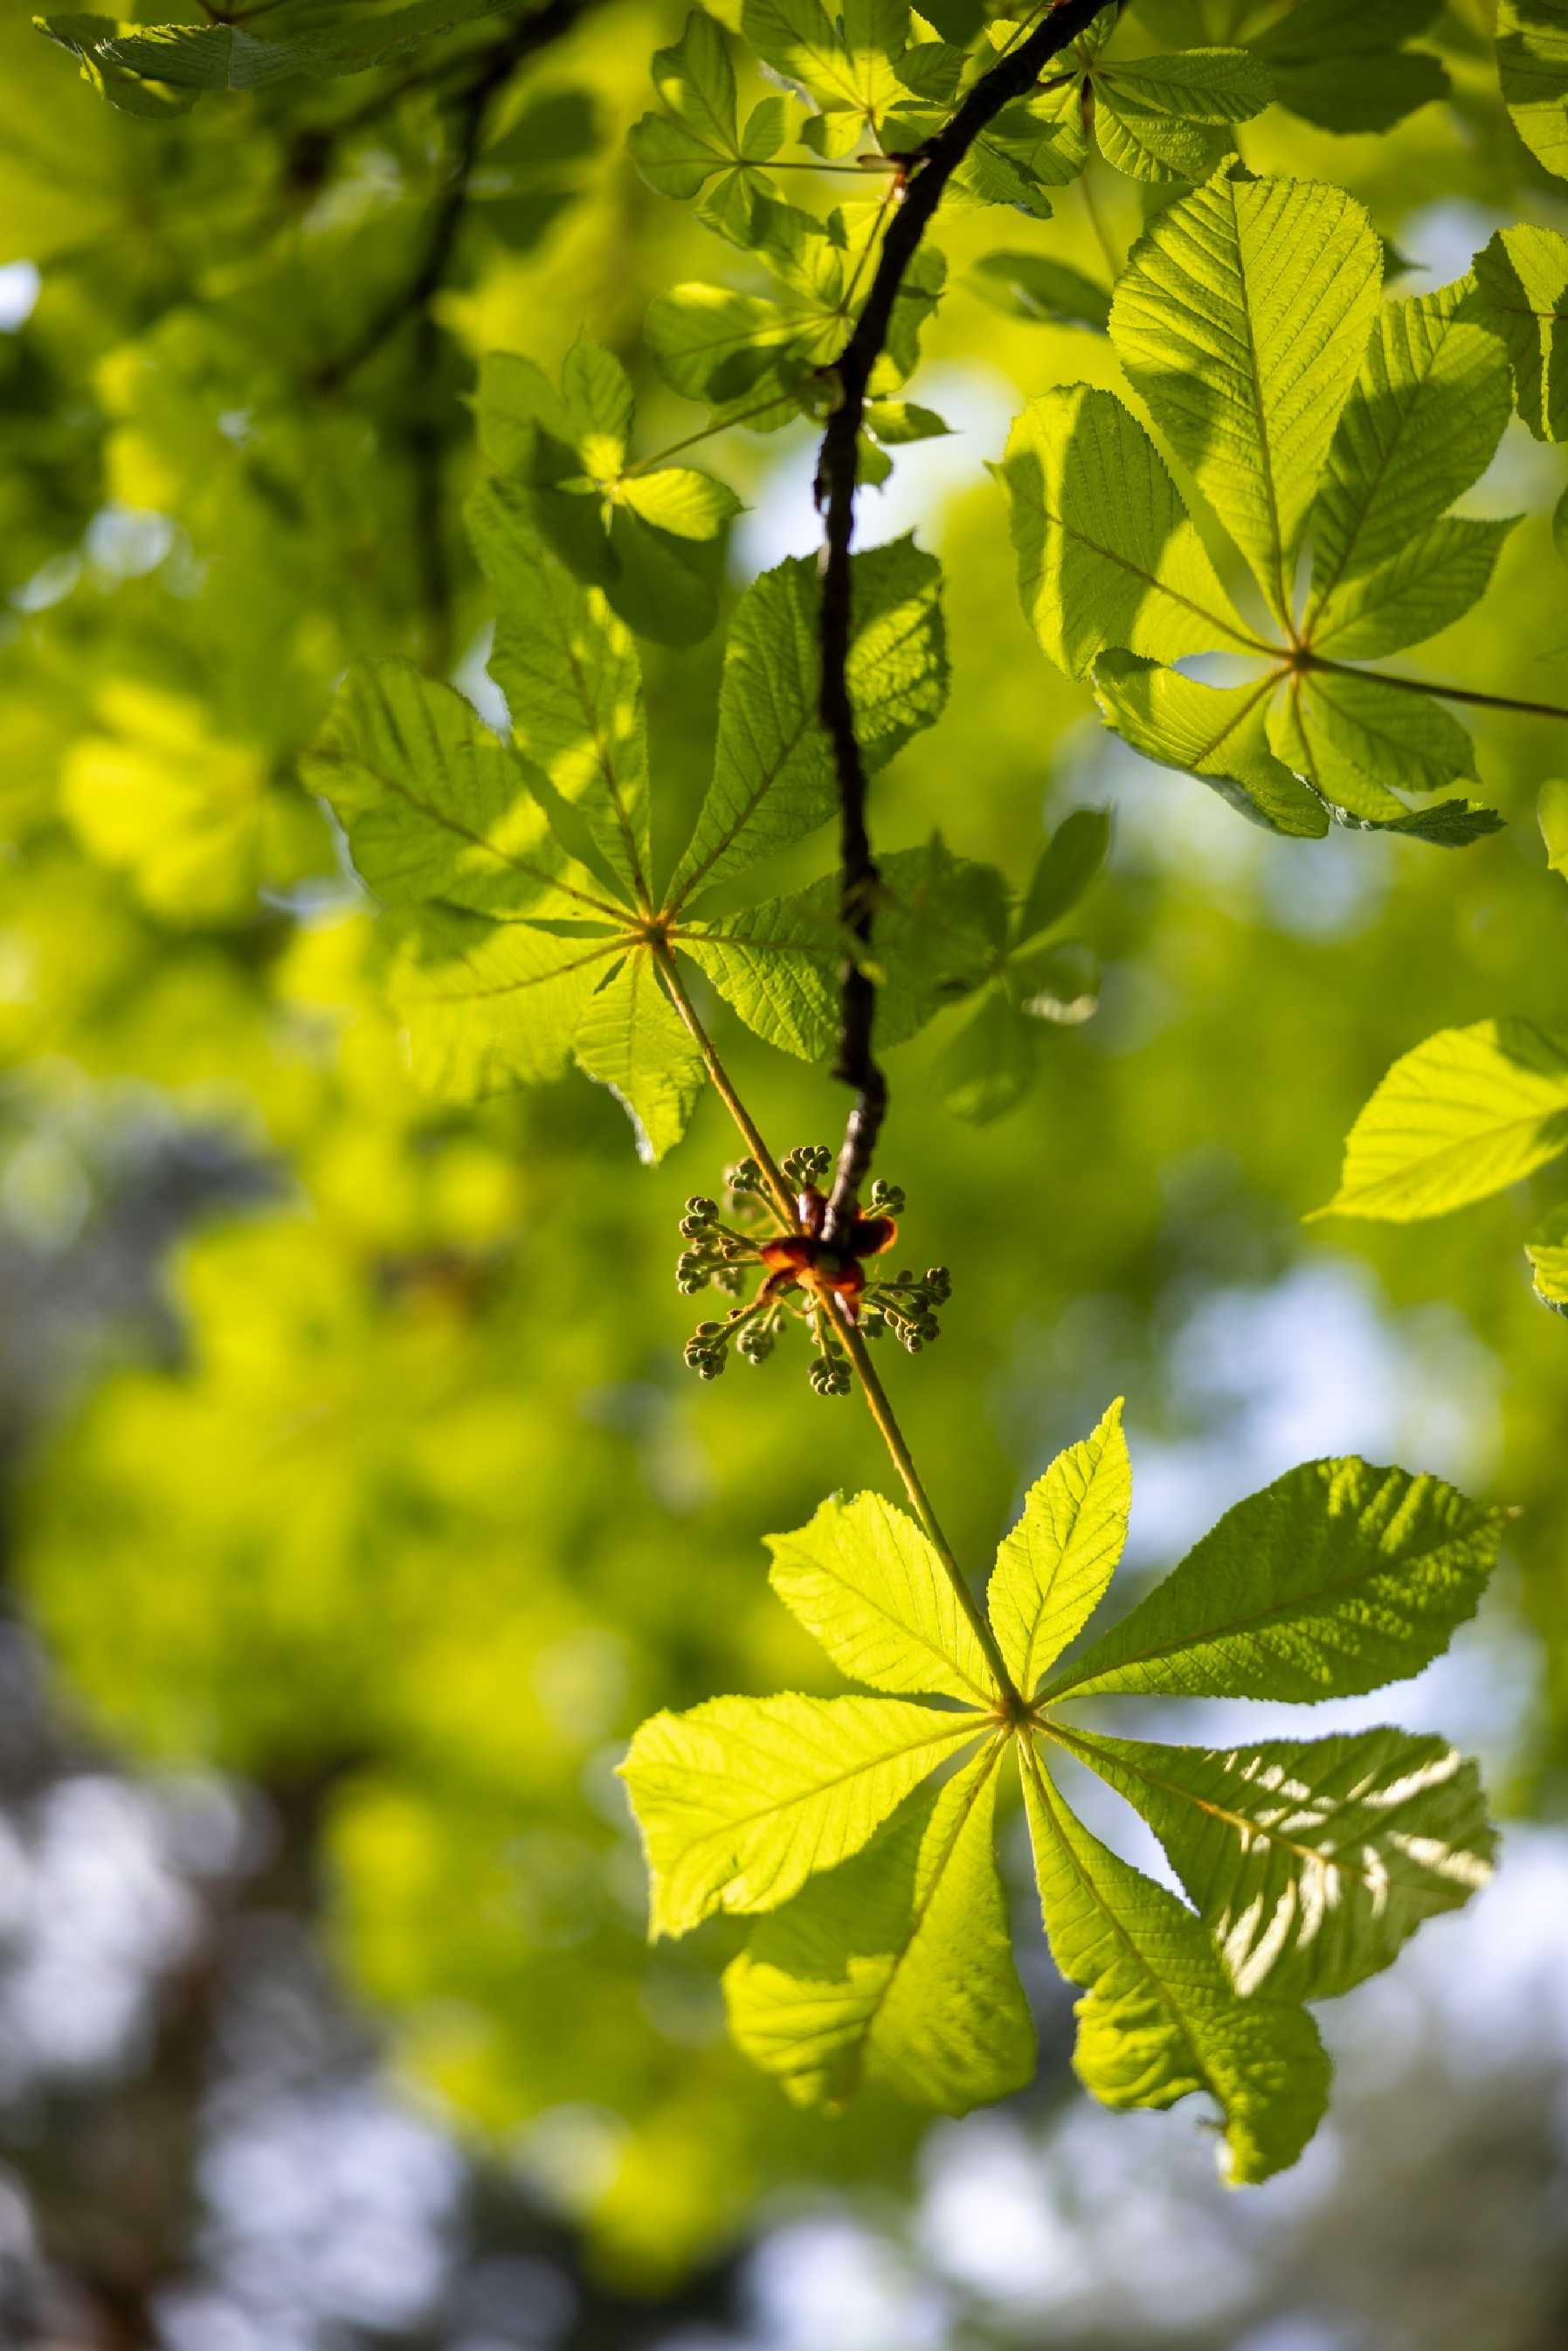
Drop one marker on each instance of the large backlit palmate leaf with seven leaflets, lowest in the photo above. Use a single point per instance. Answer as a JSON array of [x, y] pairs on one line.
[[1308, 1861]]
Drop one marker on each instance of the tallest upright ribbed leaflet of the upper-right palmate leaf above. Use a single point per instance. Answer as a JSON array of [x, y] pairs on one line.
[[1242, 321]]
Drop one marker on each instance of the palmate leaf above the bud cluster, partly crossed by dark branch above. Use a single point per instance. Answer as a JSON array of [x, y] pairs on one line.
[[518, 878]]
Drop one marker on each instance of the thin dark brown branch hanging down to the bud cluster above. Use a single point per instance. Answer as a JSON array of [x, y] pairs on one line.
[[836, 495]]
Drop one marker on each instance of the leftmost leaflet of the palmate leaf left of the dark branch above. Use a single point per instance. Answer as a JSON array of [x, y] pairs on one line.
[[434, 805]]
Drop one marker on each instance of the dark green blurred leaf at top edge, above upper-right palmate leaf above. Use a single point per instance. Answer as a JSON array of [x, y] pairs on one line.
[[1343, 65]]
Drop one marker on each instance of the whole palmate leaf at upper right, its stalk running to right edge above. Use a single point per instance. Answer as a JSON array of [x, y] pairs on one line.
[[1115, 577]]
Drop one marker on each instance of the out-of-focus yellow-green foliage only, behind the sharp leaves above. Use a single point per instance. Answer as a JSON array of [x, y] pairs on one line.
[[422, 1499]]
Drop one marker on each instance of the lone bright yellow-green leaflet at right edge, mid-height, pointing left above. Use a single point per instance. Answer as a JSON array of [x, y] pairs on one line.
[[1459, 1118]]
